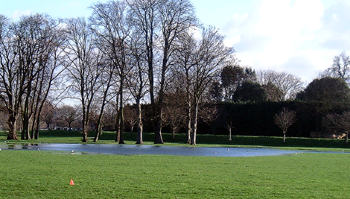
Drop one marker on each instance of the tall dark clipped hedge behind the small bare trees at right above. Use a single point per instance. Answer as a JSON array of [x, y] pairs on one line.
[[258, 118]]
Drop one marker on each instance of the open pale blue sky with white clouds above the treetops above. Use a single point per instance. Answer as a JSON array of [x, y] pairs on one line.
[[295, 36]]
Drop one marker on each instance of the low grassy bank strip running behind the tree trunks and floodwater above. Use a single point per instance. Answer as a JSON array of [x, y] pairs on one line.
[[202, 140]]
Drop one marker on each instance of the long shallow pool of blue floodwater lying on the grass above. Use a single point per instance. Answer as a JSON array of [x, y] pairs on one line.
[[151, 150]]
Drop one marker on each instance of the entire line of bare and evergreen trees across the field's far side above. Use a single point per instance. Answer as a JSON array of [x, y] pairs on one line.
[[153, 54]]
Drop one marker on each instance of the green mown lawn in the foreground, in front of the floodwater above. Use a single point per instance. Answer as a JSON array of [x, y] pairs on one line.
[[38, 174]]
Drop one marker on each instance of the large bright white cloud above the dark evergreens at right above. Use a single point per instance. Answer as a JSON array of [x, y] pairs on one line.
[[296, 36]]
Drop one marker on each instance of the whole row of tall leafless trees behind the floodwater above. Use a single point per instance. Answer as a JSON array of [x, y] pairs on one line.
[[126, 51]]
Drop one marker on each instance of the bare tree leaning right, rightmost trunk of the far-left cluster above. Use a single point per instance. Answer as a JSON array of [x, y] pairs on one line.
[[50, 60]]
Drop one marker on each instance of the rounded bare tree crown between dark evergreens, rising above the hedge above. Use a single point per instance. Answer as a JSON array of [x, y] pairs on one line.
[[288, 84]]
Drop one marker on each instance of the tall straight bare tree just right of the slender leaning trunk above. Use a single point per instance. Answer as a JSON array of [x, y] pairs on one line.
[[112, 27]]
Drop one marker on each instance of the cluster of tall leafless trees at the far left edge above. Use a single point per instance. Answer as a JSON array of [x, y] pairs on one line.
[[30, 64]]
